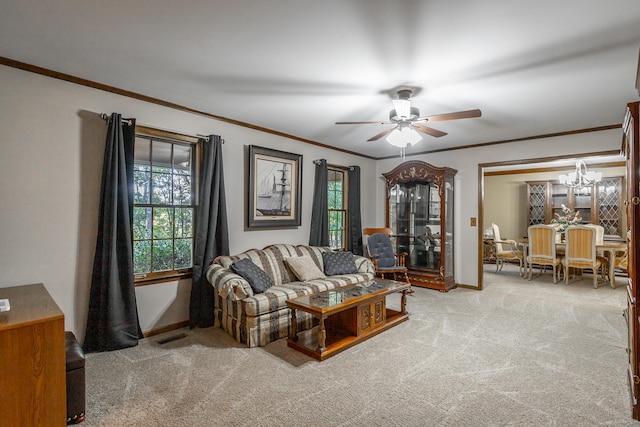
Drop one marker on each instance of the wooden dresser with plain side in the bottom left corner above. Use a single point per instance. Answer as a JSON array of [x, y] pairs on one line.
[[32, 359]]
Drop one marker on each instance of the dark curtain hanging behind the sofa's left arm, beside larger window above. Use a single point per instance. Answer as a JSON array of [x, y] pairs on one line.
[[212, 237]]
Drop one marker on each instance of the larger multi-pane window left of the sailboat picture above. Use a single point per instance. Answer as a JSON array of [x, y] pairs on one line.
[[163, 208]]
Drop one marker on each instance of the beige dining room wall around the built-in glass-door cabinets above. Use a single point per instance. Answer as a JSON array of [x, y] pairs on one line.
[[506, 204]]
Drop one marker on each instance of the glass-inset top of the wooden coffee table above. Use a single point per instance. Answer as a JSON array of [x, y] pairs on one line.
[[334, 297]]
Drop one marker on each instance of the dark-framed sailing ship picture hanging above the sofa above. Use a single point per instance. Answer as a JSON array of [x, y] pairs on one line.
[[274, 182]]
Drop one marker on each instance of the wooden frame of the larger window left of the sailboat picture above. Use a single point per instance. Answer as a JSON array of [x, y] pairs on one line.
[[151, 135]]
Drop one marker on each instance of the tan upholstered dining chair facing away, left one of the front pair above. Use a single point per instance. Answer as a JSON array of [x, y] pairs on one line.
[[542, 249]]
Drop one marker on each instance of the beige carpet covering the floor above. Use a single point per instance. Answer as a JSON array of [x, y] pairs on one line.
[[518, 353]]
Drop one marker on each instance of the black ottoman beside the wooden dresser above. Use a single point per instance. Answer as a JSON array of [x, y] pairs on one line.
[[75, 380]]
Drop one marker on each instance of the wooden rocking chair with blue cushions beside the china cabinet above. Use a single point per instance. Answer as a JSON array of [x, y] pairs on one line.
[[383, 255]]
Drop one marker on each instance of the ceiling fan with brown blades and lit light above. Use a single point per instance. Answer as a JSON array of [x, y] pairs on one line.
[[406, 118]]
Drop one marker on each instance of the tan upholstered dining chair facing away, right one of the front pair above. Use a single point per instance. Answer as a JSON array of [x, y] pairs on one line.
[[580, 253]]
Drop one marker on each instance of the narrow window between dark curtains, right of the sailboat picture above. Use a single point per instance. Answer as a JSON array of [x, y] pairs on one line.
[[337, 195]]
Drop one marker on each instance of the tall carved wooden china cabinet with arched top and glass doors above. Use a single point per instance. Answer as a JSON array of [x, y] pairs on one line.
[[420, 213]]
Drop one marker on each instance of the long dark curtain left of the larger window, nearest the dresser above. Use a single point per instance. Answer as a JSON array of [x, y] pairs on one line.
[[112, 322]]
